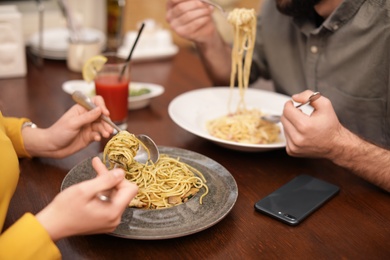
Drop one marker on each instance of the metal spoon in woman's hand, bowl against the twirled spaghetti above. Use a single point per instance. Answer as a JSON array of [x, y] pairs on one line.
[[142, 154]]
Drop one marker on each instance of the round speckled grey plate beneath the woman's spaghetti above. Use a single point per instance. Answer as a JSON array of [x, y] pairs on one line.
[[206, 208]]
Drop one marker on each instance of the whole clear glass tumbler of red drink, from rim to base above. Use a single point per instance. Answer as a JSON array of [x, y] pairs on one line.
[[114, 87]]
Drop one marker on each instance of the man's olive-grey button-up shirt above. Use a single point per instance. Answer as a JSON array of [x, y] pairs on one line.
[[346, 58]]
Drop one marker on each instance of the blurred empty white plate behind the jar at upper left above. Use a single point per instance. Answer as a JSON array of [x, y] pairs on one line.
[[55, 41]]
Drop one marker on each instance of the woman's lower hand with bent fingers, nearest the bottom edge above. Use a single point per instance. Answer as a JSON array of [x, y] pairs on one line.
[[77, 210]]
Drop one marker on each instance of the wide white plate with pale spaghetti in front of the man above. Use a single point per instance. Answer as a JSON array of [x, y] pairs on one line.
[[204, 112]]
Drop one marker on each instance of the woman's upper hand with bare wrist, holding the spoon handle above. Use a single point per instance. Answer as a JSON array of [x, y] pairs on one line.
[[73, 131]]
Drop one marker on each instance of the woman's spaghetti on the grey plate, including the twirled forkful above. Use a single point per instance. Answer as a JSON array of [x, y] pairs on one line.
[[163, 184]]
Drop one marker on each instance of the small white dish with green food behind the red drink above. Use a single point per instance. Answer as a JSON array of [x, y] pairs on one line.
[[136, 102]]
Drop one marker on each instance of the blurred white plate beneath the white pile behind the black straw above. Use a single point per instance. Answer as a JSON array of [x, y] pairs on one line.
[[148, 54]]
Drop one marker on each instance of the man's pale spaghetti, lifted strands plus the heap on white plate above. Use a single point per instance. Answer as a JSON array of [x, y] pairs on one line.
[[243, 125]]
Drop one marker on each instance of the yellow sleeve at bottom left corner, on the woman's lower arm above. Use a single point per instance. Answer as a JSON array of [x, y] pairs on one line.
[[27, 239]]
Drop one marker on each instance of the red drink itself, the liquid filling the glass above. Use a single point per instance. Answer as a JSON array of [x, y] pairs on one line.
[[115, 94]]
